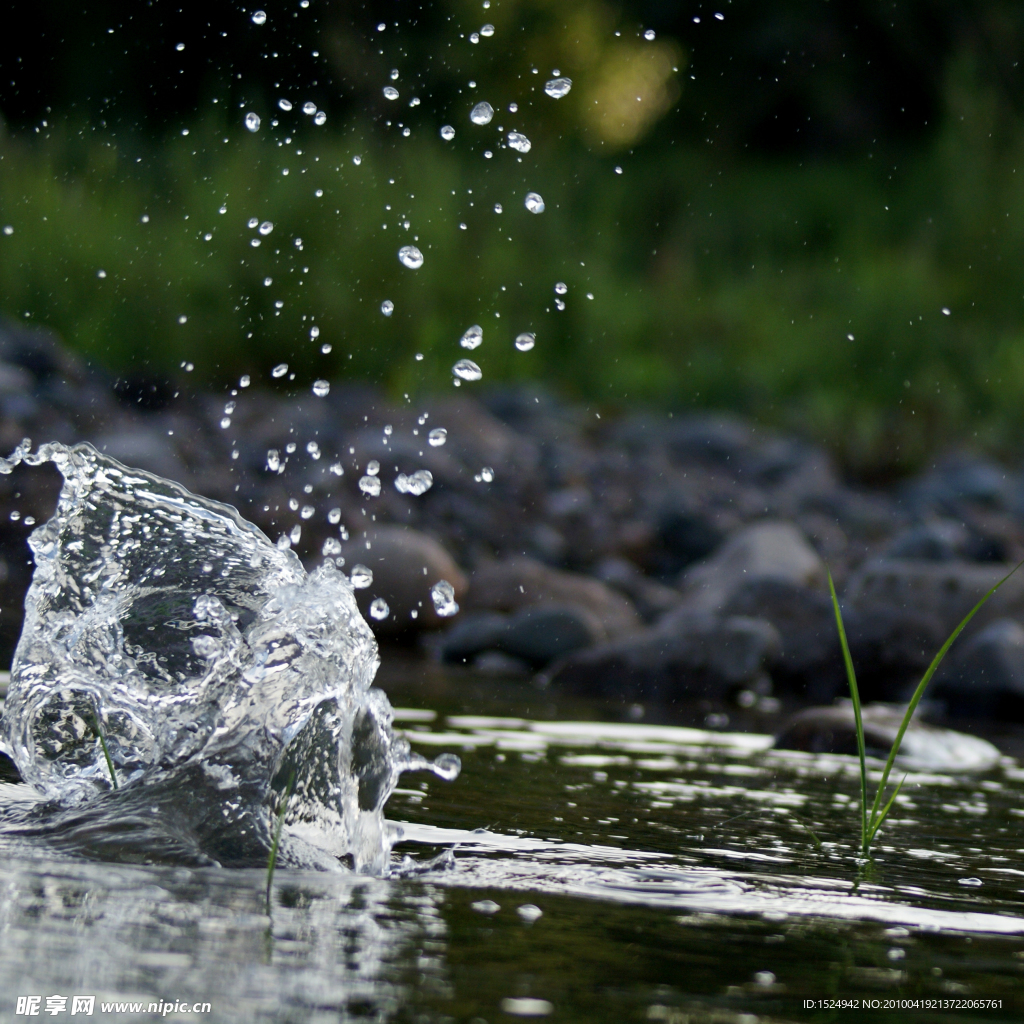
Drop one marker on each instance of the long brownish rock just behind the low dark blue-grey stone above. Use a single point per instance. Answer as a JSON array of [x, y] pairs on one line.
[[522, 582]]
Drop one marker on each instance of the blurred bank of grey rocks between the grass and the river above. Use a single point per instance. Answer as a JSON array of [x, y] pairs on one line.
[[651, 558]]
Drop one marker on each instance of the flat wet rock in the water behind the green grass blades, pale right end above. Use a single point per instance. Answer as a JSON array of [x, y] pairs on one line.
[[833, 731]]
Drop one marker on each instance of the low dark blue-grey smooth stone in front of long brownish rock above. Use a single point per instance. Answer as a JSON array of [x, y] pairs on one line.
[[536, 635]]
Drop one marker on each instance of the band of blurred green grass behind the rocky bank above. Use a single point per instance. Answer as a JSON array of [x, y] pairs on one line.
[[807, 294]]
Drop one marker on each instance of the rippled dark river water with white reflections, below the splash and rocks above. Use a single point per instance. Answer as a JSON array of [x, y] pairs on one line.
[[587, 866]]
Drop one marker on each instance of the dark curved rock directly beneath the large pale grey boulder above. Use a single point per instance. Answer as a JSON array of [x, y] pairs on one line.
[[810, 660]]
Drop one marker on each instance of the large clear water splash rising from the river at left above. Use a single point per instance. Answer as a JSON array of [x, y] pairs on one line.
[[217, 670]]
